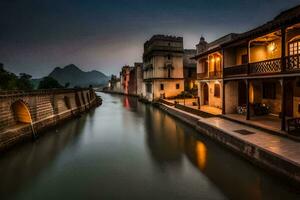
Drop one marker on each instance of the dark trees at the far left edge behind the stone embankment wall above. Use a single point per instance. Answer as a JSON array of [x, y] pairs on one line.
[[10, 81]]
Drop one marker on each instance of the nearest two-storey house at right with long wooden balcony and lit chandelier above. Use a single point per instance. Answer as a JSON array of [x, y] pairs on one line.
[[262, 72]]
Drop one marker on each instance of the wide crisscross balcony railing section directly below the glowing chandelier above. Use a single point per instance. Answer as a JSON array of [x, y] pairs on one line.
[[267, 66]]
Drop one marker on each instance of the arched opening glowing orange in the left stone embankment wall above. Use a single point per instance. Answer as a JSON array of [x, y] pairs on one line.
[[21, 112]]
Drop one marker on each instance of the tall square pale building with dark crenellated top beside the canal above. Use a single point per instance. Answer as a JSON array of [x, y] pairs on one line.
[[163, 67]]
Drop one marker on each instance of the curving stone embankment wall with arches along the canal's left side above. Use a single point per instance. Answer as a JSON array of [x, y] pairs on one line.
[[24, 114]]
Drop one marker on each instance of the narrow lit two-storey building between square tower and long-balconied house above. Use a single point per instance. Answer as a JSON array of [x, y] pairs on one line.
[[210, 73]]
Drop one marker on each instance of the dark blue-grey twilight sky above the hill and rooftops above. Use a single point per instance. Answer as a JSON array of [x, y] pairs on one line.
[[38, 35]]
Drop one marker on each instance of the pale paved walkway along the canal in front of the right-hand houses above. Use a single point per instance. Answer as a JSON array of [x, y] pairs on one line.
[[282, 147]]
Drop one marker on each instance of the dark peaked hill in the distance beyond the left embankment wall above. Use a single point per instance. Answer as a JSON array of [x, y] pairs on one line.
[[76, 77]]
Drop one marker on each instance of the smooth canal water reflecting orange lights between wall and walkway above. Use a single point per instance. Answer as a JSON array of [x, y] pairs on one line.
[[128, 150]]
